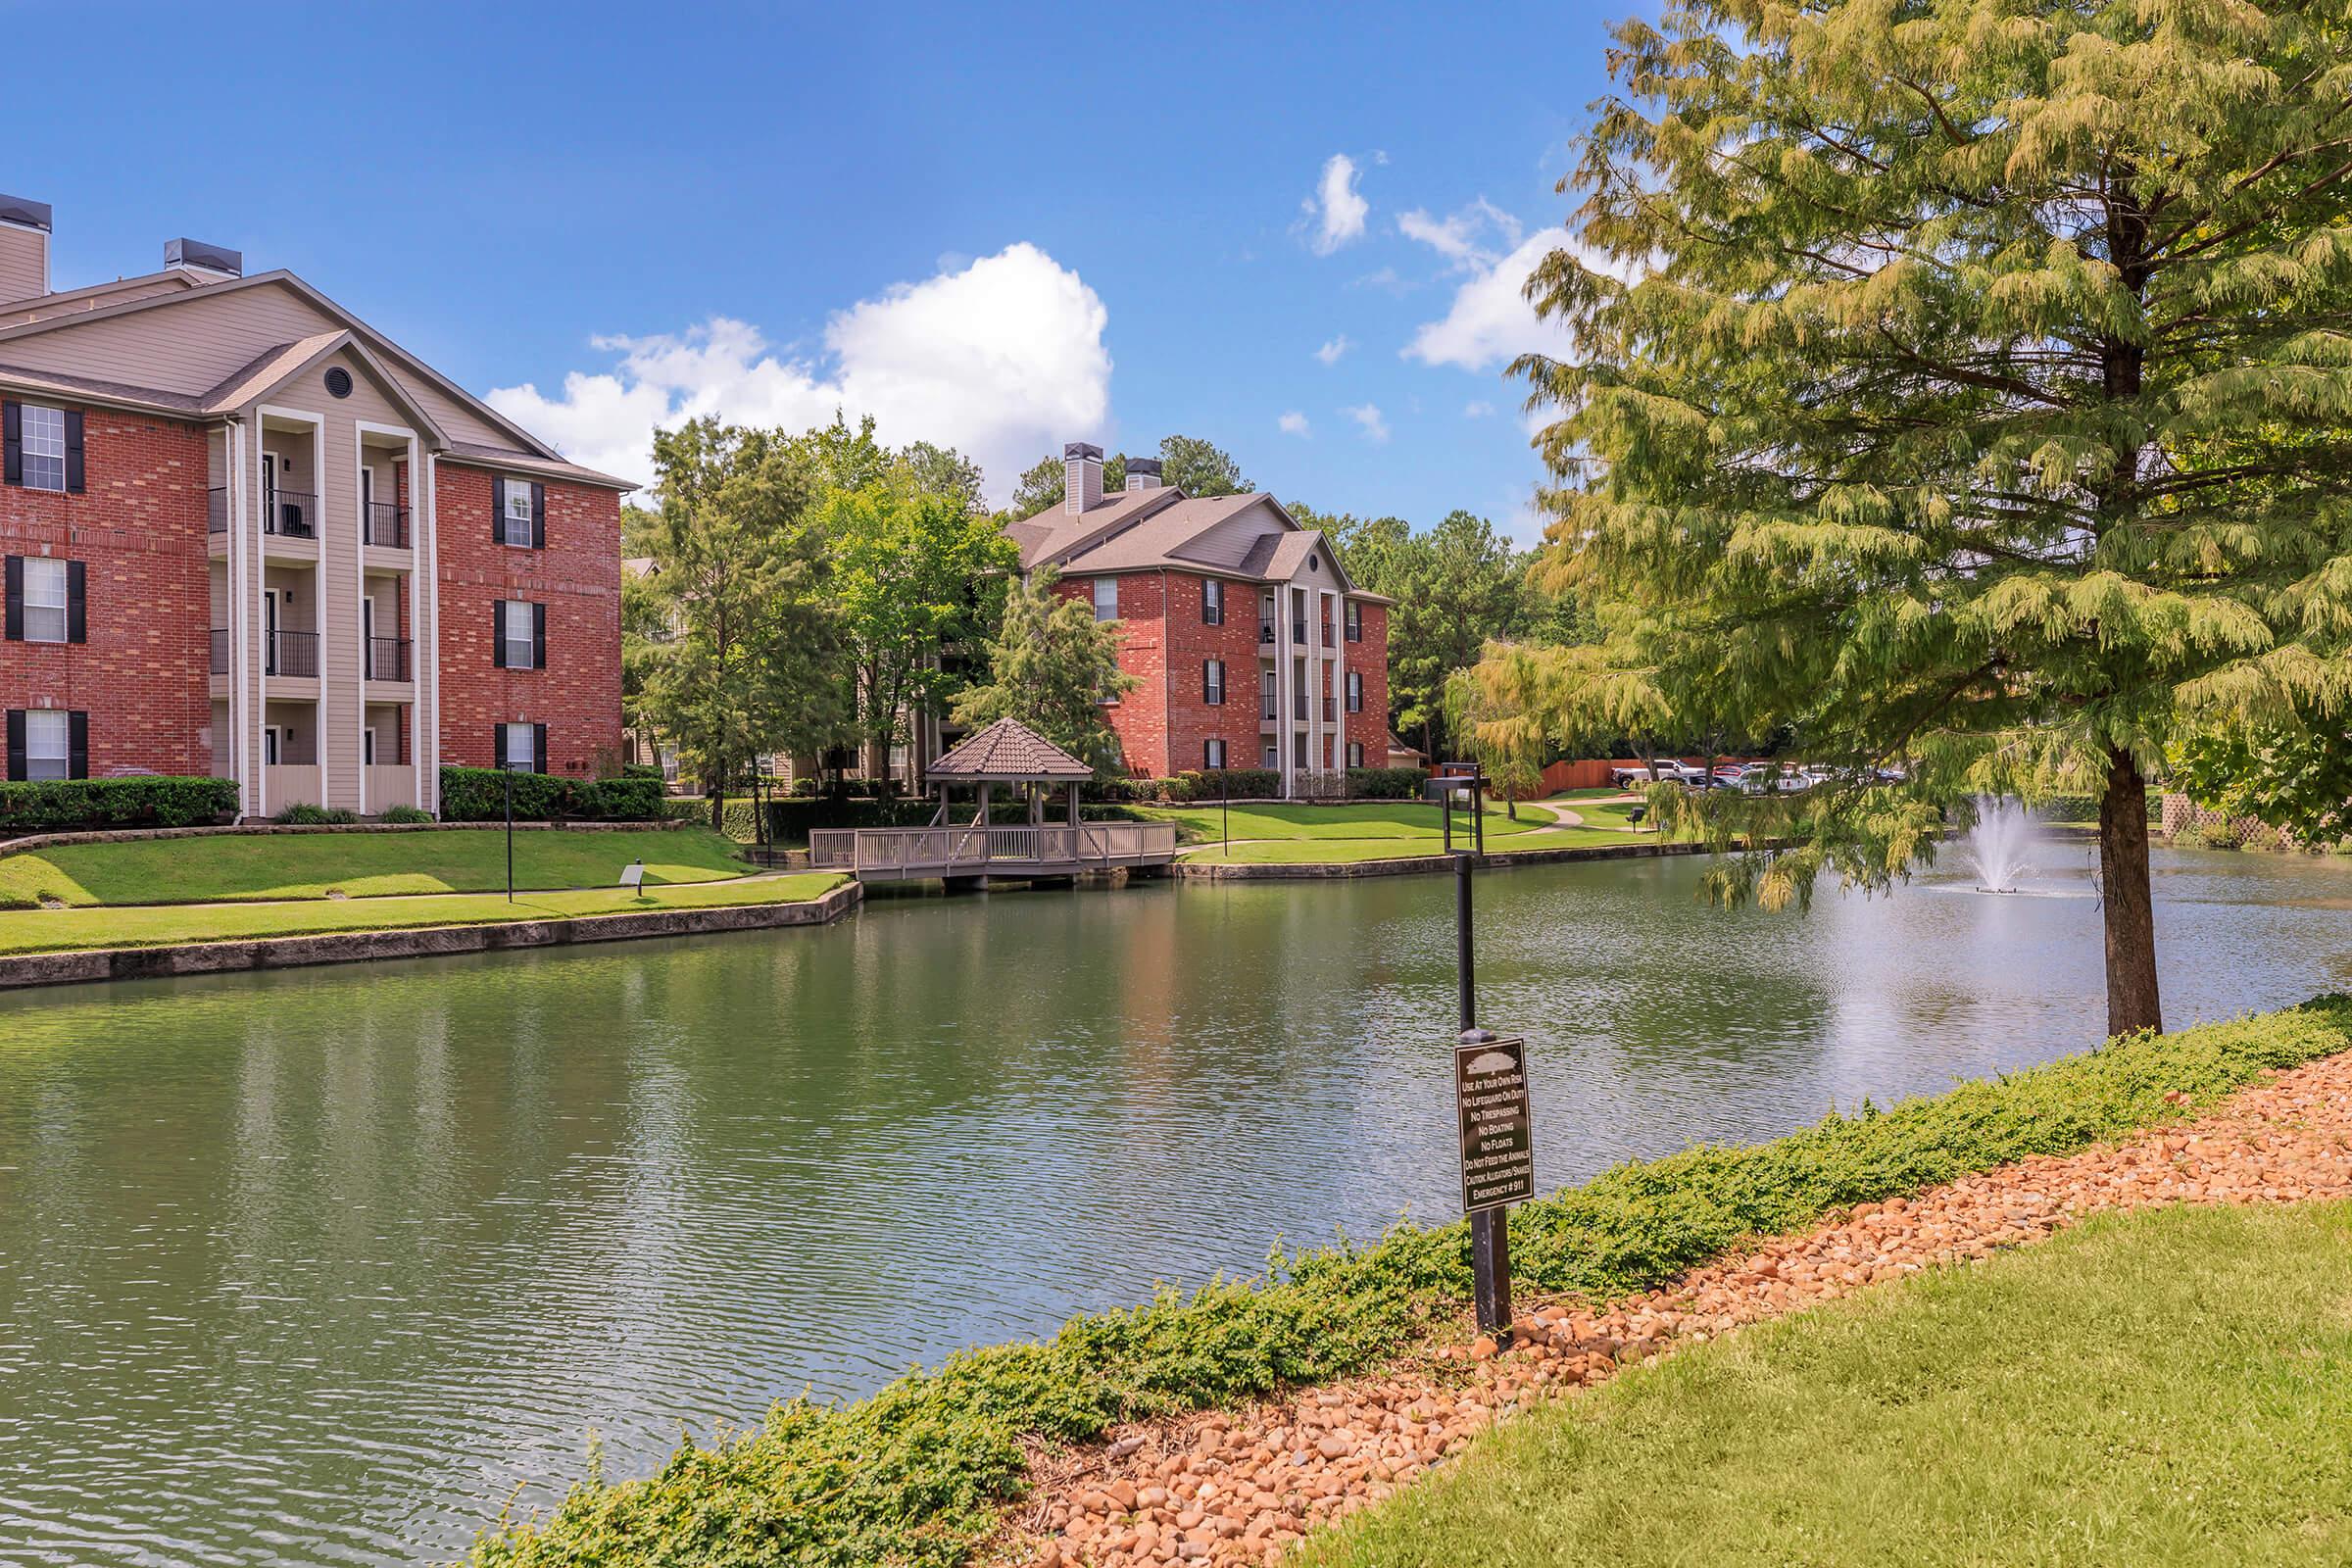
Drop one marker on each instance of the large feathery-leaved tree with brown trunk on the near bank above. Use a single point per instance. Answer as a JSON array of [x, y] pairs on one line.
[[1963, 384]]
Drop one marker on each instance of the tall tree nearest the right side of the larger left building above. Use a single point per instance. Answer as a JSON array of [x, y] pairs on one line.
[[742, 594]]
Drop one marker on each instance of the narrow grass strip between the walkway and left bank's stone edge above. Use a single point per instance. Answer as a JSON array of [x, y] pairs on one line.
[[166, 925]]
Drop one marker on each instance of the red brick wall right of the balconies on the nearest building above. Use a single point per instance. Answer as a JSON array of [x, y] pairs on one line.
[[577, 577]]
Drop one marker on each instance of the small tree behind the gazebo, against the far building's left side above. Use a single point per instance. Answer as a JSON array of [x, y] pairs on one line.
[[1053, 666]]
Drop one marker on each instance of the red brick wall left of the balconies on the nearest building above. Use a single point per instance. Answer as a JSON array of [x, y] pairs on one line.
[[140, 532]]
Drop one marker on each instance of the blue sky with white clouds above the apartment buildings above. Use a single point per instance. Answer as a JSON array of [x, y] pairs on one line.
[[998, 227]]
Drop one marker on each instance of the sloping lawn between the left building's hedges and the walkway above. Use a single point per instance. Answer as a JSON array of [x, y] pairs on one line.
[[356, 864]]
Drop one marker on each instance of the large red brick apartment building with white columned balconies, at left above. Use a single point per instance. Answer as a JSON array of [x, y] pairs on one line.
[[250, 537]]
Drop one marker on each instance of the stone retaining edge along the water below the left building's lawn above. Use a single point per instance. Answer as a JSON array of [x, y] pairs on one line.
[[410, 944]]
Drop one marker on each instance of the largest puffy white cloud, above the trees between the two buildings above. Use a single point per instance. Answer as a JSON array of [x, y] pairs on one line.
[[1001, 359]]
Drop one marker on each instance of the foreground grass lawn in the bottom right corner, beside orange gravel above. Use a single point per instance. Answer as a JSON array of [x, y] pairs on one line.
[[2170, 1388]]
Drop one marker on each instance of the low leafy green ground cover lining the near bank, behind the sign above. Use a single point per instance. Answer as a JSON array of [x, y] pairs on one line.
[[918, 1473]]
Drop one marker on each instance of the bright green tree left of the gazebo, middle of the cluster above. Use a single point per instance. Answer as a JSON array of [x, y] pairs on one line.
[[914, 579]]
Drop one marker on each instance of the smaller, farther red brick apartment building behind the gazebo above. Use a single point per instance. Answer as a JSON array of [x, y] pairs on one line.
[[1243, 631]]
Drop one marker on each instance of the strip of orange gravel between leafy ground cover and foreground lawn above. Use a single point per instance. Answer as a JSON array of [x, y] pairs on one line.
[[1243, 1487]]
